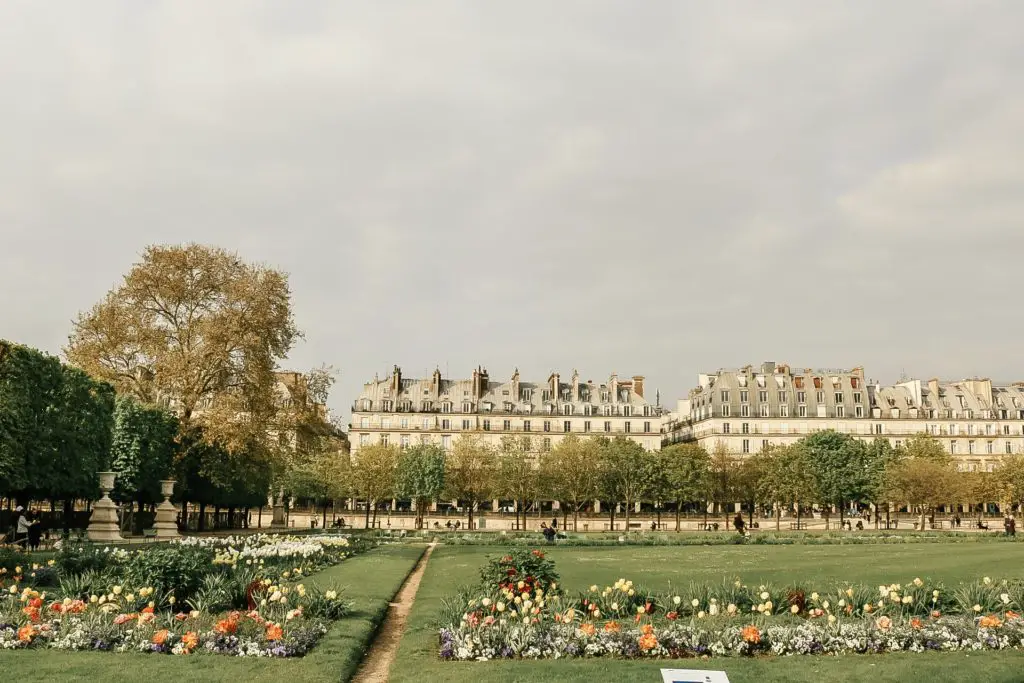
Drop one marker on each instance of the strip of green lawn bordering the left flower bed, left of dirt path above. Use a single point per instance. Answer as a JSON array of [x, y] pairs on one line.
[[371, 581]]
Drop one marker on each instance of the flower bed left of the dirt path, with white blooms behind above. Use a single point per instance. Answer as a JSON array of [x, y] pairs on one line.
[[237, 595]]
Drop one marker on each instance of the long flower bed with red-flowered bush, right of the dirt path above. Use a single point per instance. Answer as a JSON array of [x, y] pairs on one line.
[[516, 614]]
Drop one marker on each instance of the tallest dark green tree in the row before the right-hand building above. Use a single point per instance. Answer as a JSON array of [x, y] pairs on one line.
[[841, 469]]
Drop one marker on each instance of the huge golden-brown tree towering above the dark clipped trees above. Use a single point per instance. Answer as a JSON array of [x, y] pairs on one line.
[[198, 329]]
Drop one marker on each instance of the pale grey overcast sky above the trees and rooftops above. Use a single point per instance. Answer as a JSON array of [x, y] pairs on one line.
[[646, 188]]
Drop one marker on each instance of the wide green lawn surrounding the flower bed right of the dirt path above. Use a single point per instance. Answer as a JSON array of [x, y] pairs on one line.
[[655, 568]]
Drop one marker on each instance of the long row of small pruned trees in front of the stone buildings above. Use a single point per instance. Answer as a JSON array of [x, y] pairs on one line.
[[829, 471]]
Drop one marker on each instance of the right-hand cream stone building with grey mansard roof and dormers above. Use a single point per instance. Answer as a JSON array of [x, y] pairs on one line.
[[747, 409]]
